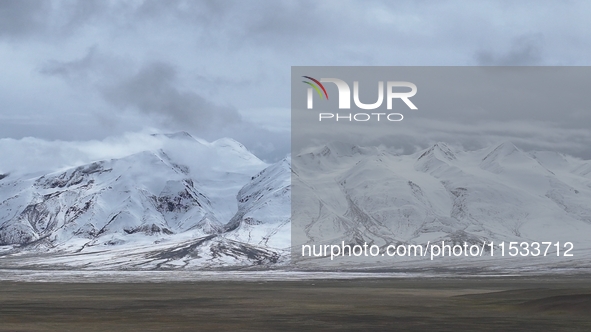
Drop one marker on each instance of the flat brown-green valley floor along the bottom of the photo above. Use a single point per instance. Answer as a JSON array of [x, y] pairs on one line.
[[556, 303]]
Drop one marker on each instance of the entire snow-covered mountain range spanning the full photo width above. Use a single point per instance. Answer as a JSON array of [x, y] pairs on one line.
[[192, 204]]
